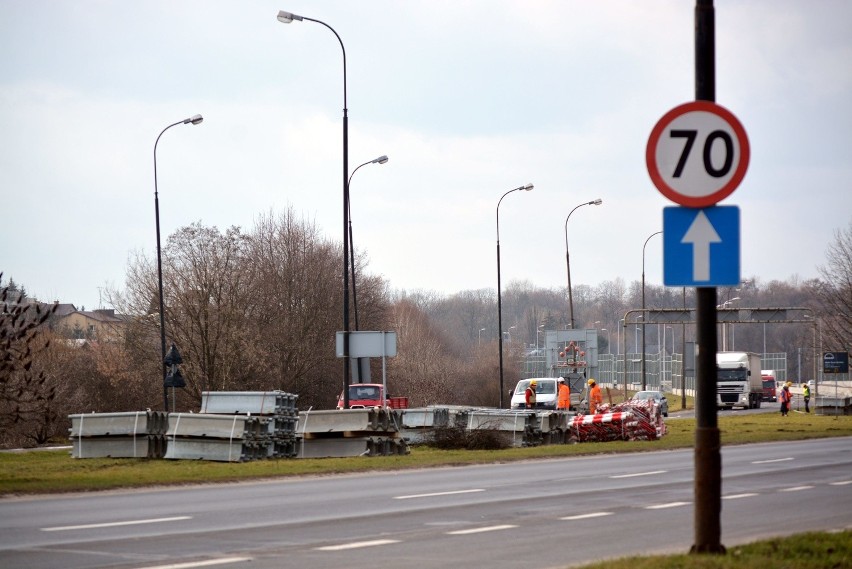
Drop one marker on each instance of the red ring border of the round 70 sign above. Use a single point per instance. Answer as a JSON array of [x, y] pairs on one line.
[[724, 191]]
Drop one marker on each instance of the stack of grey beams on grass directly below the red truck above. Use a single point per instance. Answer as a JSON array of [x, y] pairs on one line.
[[351, 432]]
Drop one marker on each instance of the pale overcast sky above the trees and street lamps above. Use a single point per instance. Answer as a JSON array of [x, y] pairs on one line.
[[469, 99]]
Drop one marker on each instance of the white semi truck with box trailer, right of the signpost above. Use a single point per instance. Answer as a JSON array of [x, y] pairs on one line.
[[738, 380]]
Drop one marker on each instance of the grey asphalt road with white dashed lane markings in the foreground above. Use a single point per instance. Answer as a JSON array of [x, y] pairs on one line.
[[536, 514]]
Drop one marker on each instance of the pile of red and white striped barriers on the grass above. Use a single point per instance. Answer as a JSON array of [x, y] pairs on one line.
[[629, 421]]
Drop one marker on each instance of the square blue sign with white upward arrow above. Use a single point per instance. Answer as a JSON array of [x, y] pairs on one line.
[[701, 247]]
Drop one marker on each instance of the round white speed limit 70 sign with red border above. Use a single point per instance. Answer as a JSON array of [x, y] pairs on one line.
[[697, 154]]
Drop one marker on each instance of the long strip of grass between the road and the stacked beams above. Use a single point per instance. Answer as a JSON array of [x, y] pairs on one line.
[[55, 471]]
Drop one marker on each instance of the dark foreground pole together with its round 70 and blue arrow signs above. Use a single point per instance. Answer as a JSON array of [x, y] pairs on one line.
[[697, 154]]
